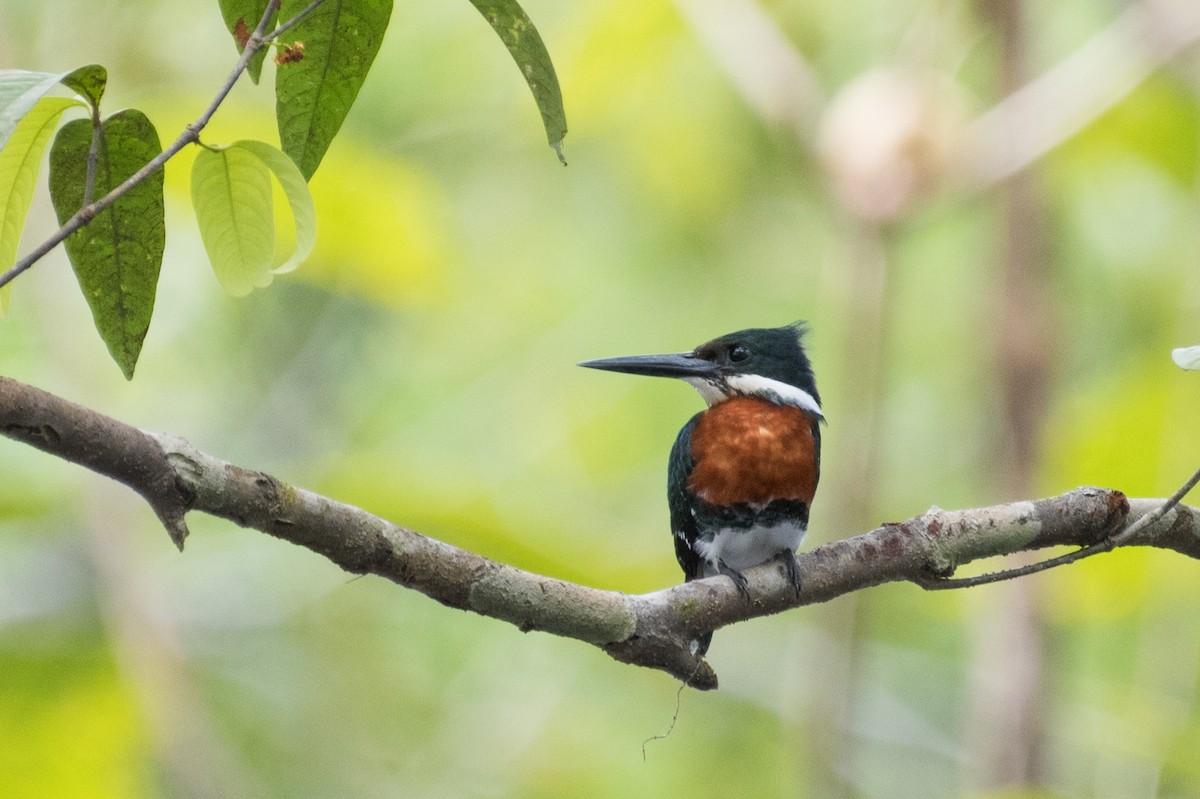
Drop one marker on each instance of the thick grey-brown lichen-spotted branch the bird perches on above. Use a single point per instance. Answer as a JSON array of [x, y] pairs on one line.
[[656, 630]]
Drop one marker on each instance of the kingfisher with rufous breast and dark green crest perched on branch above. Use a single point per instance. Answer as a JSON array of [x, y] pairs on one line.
[[742, 473]]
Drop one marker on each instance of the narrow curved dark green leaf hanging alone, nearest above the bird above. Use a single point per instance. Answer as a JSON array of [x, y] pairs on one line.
[[513, 26]]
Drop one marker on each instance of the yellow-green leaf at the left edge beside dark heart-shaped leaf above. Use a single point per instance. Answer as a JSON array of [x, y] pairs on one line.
[[20, 163]]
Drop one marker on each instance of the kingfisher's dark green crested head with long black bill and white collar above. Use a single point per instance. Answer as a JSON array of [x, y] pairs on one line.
[[767, 363]]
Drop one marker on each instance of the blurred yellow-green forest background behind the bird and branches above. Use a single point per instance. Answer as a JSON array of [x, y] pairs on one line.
[[988, 212]]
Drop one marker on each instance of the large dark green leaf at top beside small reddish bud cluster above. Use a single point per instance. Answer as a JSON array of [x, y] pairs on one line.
[[314, 95]]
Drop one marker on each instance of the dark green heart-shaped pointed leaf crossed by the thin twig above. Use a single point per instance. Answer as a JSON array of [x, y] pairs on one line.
[[117, 259]]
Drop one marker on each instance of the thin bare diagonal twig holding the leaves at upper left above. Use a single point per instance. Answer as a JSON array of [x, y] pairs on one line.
[[190, 135]]
